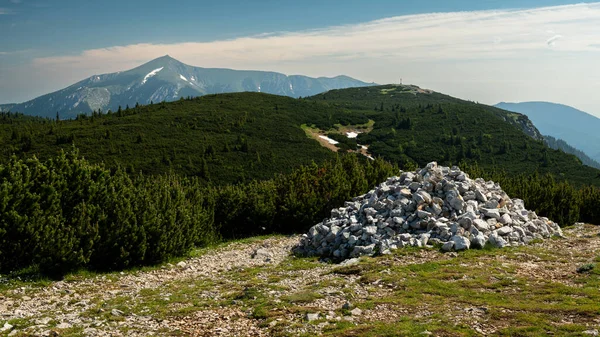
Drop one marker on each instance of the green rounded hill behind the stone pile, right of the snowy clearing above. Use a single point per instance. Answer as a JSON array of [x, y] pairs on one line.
[[424, 127]]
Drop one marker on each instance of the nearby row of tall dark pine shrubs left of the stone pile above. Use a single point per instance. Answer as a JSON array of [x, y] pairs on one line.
[[64, 213]]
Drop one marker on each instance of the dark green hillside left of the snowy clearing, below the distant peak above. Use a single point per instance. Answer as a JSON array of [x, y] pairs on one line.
[[220, 138]]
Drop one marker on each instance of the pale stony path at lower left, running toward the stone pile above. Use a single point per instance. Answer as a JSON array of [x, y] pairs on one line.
[[78, 305]]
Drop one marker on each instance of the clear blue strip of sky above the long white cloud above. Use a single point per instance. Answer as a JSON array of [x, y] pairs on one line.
[[66, 26]]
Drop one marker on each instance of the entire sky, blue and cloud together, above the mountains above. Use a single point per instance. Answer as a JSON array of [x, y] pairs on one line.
[[487, 50]]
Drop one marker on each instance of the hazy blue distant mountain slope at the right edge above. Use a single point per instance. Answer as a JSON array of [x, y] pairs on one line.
[[578, 128]]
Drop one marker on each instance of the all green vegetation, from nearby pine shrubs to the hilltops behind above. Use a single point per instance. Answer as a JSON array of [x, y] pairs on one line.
[[159, 179]]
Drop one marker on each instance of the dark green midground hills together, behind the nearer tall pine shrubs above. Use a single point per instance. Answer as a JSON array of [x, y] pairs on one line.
[[237, 136]]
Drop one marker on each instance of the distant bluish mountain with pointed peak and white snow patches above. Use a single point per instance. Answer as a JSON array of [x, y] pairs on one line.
[[166, 79]]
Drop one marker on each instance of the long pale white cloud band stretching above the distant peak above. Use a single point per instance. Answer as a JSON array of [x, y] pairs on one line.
[[460, 36]]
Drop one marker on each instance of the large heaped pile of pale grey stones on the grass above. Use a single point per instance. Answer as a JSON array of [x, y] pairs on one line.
[[435, 205]]
